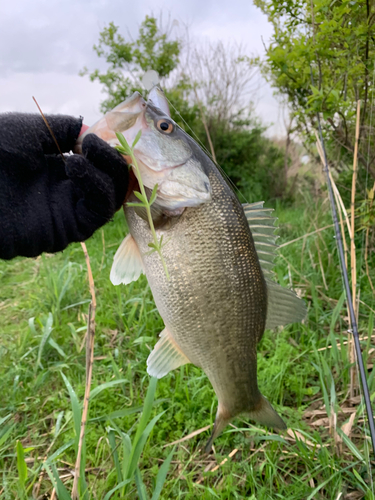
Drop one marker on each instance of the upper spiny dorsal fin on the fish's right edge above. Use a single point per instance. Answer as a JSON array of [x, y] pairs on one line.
[[262, 226]]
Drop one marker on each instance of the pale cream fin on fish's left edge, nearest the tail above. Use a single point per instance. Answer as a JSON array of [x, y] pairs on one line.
[[166, 356]]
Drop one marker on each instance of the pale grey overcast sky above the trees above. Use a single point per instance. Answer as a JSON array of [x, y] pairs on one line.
[[45, 43]]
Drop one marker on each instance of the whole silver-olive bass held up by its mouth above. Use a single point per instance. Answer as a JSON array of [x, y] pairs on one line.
[[220, 295]]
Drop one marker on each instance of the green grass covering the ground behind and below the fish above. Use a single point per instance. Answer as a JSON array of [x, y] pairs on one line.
[[44, 305]]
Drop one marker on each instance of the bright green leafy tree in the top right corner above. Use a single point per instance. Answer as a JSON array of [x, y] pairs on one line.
[[336, 40]]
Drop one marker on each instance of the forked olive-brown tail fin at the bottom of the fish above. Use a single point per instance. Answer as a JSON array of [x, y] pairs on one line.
[[264, 414]]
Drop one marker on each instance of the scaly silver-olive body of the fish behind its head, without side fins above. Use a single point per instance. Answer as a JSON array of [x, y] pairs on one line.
[[214, 304]]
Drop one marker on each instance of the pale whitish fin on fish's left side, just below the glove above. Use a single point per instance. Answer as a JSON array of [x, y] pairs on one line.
[[127, 263]]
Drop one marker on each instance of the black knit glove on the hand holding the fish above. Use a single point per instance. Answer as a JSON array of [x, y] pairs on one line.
[[46, 203]]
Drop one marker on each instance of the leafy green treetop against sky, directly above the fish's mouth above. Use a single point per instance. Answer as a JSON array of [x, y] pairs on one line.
[[128, 60]]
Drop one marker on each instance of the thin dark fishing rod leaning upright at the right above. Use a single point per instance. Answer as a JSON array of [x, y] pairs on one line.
[[344, 272]]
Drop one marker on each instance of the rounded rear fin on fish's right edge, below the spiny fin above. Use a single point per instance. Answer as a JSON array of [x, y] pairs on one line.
[[284, 306]]
